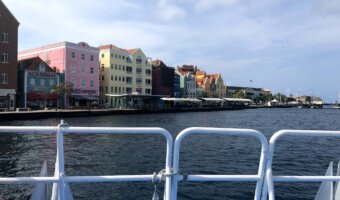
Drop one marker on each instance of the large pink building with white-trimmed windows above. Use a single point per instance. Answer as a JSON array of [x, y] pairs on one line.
[[80, 64]]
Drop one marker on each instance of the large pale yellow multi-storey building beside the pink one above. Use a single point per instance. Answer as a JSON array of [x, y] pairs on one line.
[[122, 72]]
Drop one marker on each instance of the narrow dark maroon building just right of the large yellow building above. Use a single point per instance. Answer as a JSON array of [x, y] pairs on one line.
[[162, 79]]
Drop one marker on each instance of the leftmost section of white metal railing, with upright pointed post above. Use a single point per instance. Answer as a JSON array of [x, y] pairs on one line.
[[60, 176]]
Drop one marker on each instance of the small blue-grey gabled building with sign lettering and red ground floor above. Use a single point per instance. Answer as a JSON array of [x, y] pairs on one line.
[[35, 81]]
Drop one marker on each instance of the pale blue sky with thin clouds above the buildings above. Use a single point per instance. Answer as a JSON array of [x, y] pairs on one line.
[[288, 46]]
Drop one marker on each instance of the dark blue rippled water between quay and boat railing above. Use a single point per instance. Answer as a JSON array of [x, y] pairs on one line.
[[22, 155]]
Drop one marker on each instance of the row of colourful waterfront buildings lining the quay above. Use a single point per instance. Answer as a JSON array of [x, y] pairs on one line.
[[97, 75]]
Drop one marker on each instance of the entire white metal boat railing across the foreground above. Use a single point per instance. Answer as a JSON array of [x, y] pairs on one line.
[[264, 178]]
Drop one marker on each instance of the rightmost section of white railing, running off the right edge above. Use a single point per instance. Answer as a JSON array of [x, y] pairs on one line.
[[269, 174]]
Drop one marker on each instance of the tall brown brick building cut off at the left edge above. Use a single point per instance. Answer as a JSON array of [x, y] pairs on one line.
[[8, 60]]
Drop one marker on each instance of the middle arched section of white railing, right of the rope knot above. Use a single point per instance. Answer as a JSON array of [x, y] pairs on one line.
[[220, 131]]
